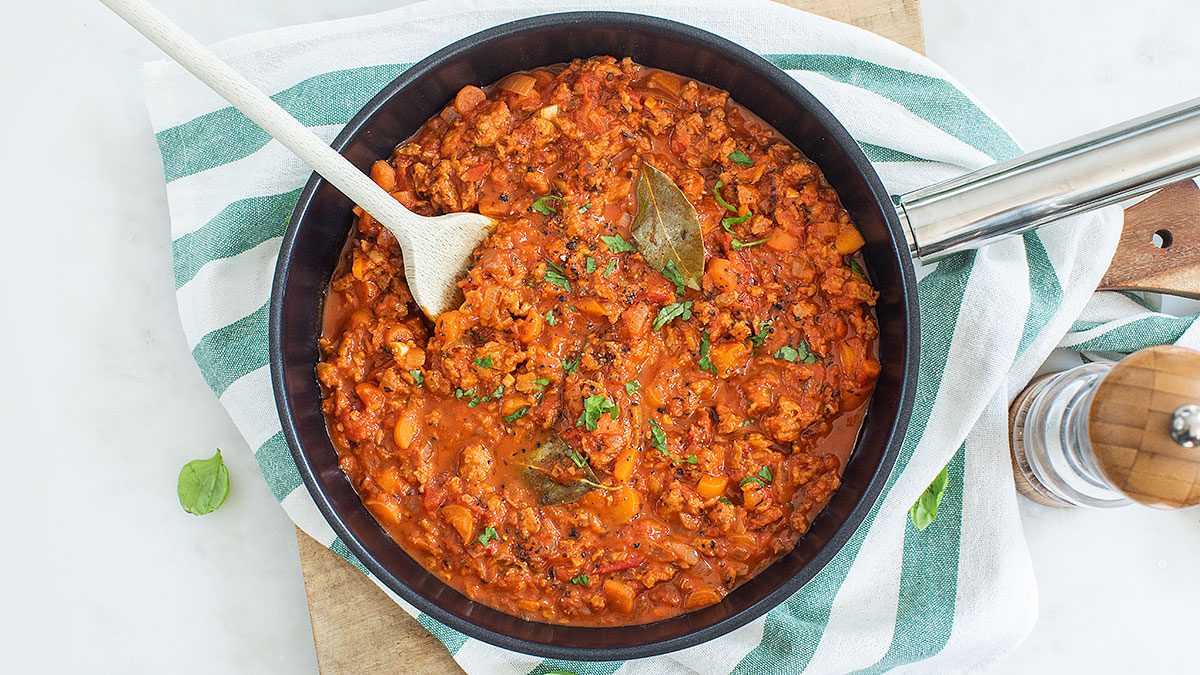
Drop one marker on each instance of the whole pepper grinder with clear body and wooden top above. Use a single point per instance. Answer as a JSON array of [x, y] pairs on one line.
[[1107, 435]]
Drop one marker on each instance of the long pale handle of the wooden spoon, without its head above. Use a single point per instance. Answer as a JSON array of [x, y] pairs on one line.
[[209, 69]]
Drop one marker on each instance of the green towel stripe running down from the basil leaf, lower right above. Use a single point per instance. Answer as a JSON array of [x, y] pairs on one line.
[[929, 581]]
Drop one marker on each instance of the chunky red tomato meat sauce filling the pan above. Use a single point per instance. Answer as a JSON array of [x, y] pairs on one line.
[[707, 444]]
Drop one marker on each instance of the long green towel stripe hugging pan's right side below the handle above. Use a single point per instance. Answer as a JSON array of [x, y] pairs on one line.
[[794, 630]]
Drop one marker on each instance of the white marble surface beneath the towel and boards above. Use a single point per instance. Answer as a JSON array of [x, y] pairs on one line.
[[104, 574]]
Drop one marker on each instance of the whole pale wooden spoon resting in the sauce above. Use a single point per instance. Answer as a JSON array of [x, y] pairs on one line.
[[436, 249]]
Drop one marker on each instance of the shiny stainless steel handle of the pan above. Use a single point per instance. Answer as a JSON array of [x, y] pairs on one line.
[[1033, 190]]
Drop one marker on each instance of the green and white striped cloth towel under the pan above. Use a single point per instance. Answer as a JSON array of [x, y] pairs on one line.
[[956, 598]]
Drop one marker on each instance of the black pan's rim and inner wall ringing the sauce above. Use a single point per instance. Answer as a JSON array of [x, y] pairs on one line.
[[321, 224]]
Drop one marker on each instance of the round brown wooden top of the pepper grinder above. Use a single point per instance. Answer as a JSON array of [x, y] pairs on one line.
[[1130, 427]]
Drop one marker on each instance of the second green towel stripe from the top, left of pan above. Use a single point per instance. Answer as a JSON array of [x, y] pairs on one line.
[[238, 229]]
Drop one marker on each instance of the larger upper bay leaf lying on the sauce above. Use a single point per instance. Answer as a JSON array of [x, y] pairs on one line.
[[667, 228]]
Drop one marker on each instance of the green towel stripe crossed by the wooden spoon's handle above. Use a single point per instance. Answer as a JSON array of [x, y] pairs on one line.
[[226, 136]]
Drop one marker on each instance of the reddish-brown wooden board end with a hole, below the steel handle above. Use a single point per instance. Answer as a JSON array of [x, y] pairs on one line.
[[1160, 247]]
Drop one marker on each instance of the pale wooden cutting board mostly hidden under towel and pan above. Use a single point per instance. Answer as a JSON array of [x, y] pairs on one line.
[[356, 628]]
